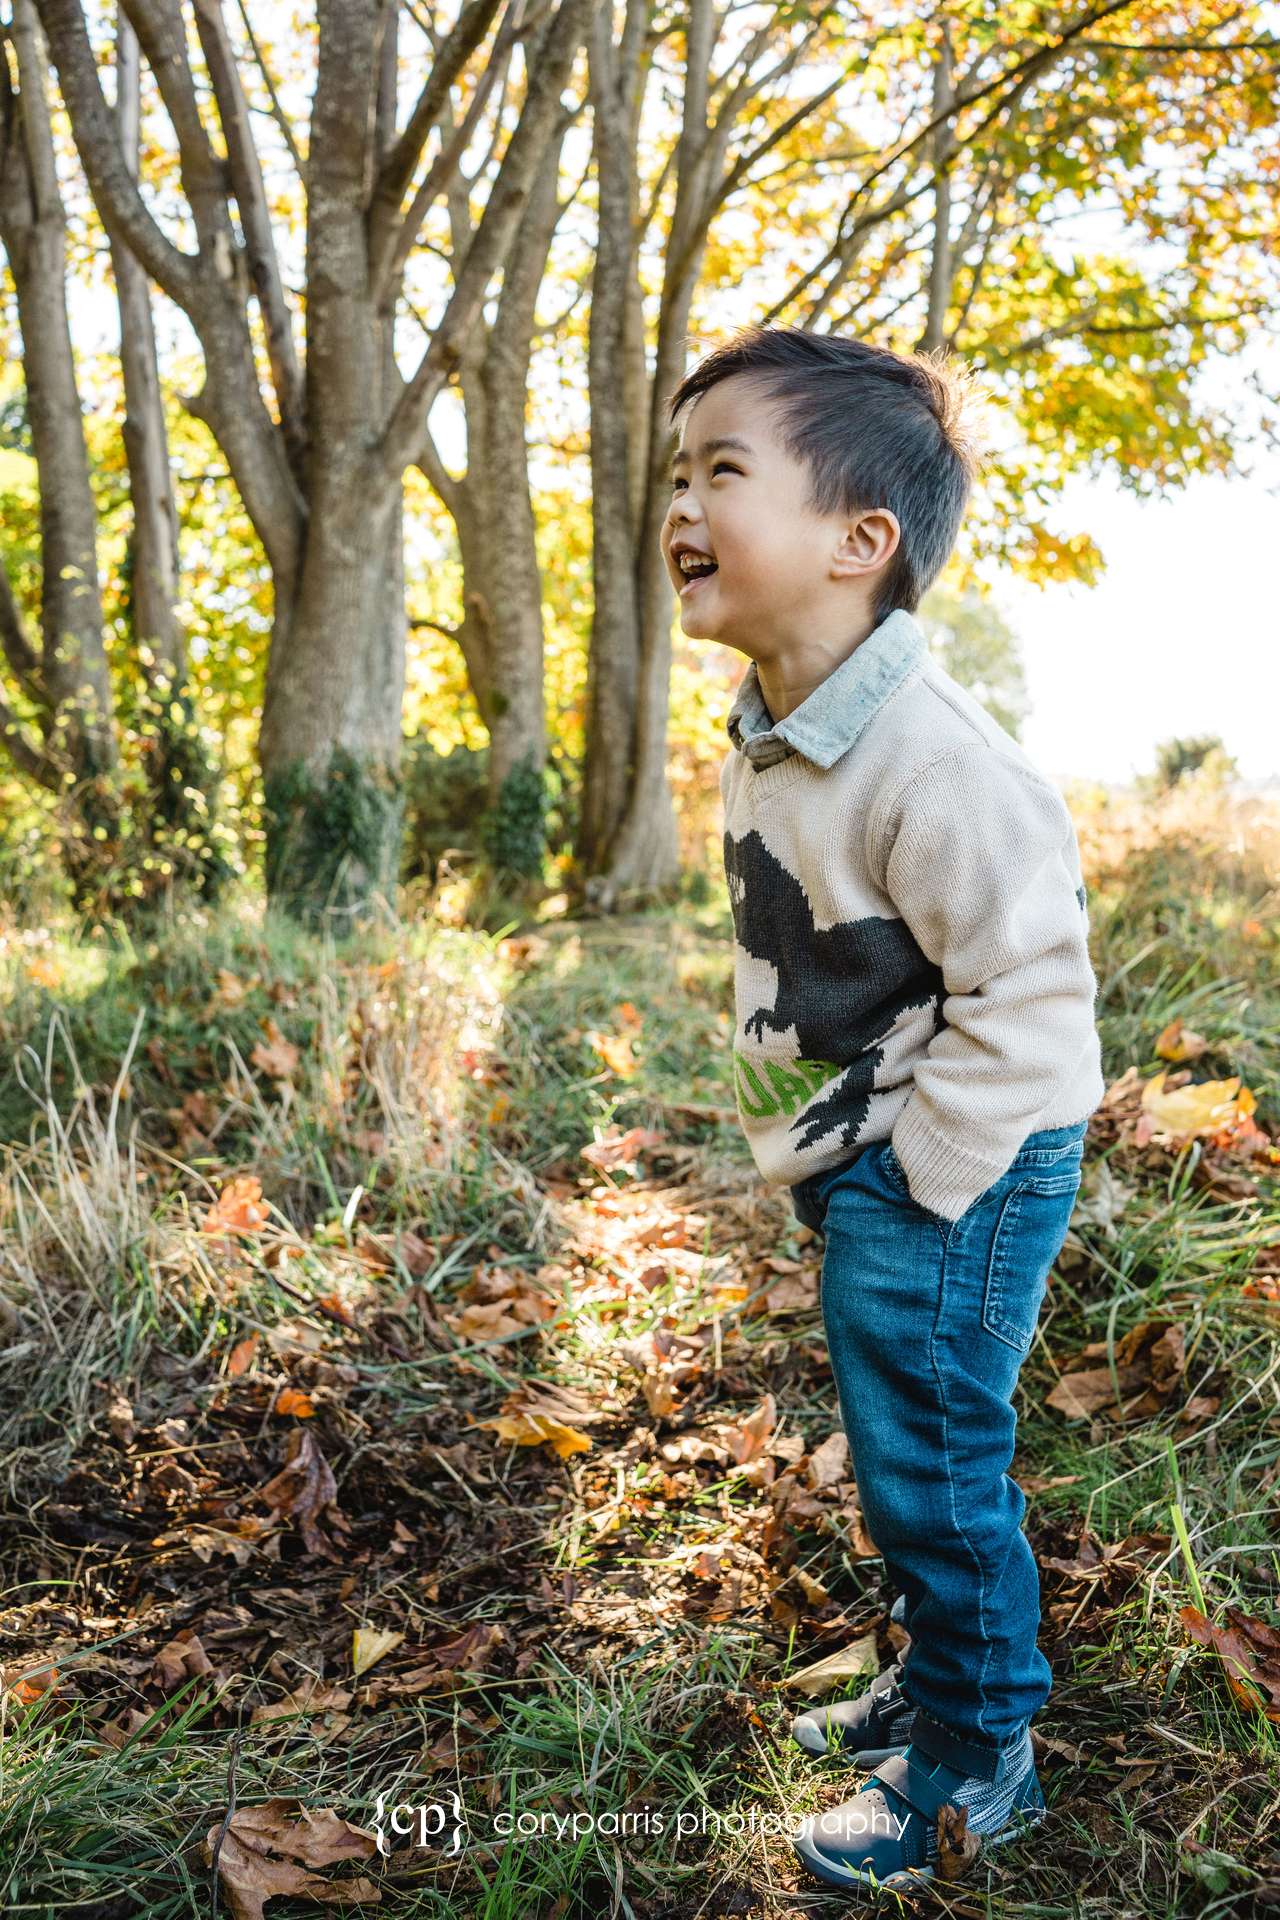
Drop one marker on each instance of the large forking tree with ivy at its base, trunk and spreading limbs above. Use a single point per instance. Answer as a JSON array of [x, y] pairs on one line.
[[323, 483]]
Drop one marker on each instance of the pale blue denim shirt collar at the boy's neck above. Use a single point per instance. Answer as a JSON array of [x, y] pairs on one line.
[[830, 721]]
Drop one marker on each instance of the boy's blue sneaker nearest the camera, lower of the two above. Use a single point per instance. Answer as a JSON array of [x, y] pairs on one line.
[[888, 1836]]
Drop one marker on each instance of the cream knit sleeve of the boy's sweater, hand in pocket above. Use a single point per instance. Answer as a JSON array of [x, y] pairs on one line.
[[982, 863]]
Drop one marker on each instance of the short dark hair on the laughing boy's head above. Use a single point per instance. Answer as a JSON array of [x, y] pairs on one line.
[[874, 427]]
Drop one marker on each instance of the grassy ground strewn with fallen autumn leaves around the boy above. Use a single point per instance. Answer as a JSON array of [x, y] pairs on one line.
[[442, 1097]]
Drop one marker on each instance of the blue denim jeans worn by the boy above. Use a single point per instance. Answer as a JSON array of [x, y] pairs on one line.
[[928, 1324]]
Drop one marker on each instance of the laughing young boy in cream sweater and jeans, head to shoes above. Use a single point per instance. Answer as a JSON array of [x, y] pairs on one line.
[[916, 1053]]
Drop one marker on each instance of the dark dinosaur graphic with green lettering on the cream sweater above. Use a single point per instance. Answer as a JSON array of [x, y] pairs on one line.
[[840, 992]]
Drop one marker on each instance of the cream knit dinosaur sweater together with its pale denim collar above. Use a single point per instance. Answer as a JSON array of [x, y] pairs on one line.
[[911, 930]]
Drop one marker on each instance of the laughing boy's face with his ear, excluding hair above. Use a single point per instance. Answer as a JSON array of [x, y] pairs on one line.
[[788, 581]]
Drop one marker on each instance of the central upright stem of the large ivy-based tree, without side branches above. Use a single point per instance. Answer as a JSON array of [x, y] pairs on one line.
[[335, 684]]
